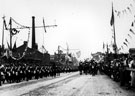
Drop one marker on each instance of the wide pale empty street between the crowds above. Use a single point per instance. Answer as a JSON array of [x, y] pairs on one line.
[[68, 84]]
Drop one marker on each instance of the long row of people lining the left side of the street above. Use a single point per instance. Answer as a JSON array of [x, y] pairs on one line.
[[17, 73]]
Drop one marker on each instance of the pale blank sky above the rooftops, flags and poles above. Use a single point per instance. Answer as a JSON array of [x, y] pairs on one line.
[[82, 24]]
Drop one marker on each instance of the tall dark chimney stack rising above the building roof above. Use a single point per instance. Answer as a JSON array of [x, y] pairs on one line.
[[33, 33]]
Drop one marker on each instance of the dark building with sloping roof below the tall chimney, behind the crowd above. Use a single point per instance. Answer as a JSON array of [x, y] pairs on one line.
[[29, 55]]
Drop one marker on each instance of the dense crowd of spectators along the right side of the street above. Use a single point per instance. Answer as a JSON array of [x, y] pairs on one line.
[[121, 70]]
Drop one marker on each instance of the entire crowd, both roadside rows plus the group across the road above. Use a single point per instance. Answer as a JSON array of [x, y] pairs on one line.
[[121, 70]]
